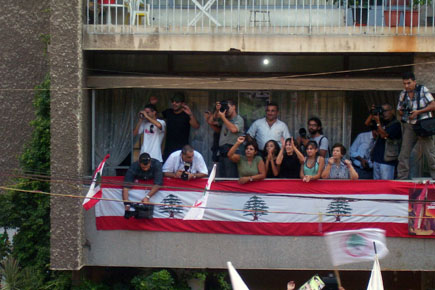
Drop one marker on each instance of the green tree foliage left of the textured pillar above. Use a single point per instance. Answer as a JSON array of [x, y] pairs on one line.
[[29, 213]]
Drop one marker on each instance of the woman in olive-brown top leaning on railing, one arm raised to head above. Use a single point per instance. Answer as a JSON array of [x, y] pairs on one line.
[[250, 166]]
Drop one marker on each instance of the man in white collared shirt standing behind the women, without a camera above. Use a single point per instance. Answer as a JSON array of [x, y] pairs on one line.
[[269, 128]]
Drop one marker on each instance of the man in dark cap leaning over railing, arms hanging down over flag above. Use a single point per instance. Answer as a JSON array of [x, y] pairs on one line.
[[146, 168]]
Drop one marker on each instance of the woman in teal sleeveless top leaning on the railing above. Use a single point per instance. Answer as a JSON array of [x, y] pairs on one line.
[[313, 163]]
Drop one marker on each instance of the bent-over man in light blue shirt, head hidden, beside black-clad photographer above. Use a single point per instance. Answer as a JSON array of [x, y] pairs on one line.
[[360, 154]]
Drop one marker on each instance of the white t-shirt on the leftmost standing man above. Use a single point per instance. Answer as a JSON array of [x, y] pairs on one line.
[[152, 139]]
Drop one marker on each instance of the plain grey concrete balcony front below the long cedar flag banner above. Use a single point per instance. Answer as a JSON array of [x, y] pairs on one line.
[[190, 250]]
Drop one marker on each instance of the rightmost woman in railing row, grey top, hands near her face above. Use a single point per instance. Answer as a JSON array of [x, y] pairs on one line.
[[337, 167]]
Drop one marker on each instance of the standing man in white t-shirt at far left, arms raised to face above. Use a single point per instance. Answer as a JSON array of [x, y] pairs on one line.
[[153, 131]]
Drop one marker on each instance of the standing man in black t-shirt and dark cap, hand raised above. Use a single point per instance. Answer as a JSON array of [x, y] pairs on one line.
[[179, 119]]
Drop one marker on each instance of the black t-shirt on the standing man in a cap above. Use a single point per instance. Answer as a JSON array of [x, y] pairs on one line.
[[178, 130]]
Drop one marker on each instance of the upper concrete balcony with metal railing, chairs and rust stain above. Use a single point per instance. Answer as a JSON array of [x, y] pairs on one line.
[[261, 25]]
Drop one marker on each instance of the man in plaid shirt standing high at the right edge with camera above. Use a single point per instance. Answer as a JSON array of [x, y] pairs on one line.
[[416, 104]]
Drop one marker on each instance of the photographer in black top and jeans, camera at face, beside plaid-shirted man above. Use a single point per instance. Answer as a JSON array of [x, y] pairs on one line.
[[387, 145]]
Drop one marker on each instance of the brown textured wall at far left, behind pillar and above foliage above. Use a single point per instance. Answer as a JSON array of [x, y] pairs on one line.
[[23, 65]]
